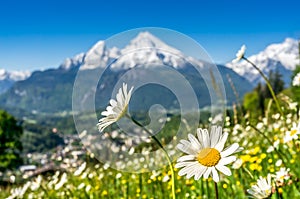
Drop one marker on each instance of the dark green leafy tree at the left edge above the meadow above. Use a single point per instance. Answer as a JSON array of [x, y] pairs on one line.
[[10, 144]]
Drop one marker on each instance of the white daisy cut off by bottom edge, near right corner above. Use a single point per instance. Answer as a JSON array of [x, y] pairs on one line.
[[262, 189]]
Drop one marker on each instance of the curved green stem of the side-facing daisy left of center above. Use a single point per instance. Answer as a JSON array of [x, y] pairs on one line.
[[164, 151]]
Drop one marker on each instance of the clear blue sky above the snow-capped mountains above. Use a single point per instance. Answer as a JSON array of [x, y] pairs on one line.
[[41, 34]]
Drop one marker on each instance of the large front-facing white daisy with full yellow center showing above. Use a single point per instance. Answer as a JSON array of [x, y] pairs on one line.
[[206, 154]]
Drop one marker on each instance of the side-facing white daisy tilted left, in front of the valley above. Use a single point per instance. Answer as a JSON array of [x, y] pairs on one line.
[[117, 108]]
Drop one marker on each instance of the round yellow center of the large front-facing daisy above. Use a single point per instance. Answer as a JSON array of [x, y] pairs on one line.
[[209, 157]]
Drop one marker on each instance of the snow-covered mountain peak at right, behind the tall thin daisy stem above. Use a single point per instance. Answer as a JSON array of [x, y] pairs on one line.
[[282, 57]]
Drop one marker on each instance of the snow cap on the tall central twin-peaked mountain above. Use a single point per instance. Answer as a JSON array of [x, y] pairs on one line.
[[143, 49]]
